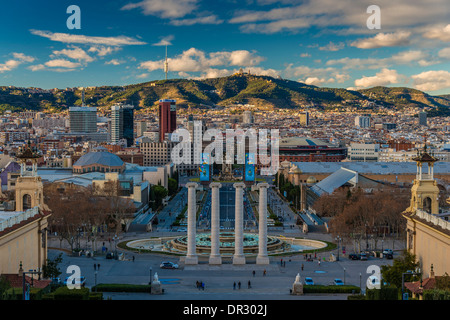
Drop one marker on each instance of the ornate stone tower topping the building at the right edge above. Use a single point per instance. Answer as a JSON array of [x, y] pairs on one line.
[[424, 192]]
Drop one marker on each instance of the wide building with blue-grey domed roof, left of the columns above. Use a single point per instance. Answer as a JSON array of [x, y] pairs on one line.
[[99, 160]]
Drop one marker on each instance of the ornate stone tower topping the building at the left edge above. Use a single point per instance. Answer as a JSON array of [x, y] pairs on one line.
[[29, 186]]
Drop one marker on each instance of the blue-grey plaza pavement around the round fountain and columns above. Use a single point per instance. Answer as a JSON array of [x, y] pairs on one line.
[[180, 284]]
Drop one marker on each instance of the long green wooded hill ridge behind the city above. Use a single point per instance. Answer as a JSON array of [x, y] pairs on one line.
[[261, 91]]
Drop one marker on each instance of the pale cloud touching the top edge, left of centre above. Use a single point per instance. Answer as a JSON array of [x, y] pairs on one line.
[[164, 8]]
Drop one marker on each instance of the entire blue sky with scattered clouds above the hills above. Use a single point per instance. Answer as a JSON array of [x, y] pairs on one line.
[[320, 42]]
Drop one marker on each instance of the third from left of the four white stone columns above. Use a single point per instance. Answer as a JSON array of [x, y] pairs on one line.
[[238, 257]]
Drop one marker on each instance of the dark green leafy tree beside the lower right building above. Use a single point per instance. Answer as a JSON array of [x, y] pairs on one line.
[[393, 274]]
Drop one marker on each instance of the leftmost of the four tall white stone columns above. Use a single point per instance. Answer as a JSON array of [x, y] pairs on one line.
[[191, 256]]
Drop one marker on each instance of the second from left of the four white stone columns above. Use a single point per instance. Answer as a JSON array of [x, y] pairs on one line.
[[215, 257]]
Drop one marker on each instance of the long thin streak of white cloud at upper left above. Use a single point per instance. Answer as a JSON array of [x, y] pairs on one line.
[[82, 39]]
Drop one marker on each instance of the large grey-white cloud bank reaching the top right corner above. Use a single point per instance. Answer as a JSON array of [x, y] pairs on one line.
[[295, 15]]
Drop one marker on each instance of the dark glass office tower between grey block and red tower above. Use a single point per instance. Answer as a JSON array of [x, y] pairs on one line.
[[122, 123]]
